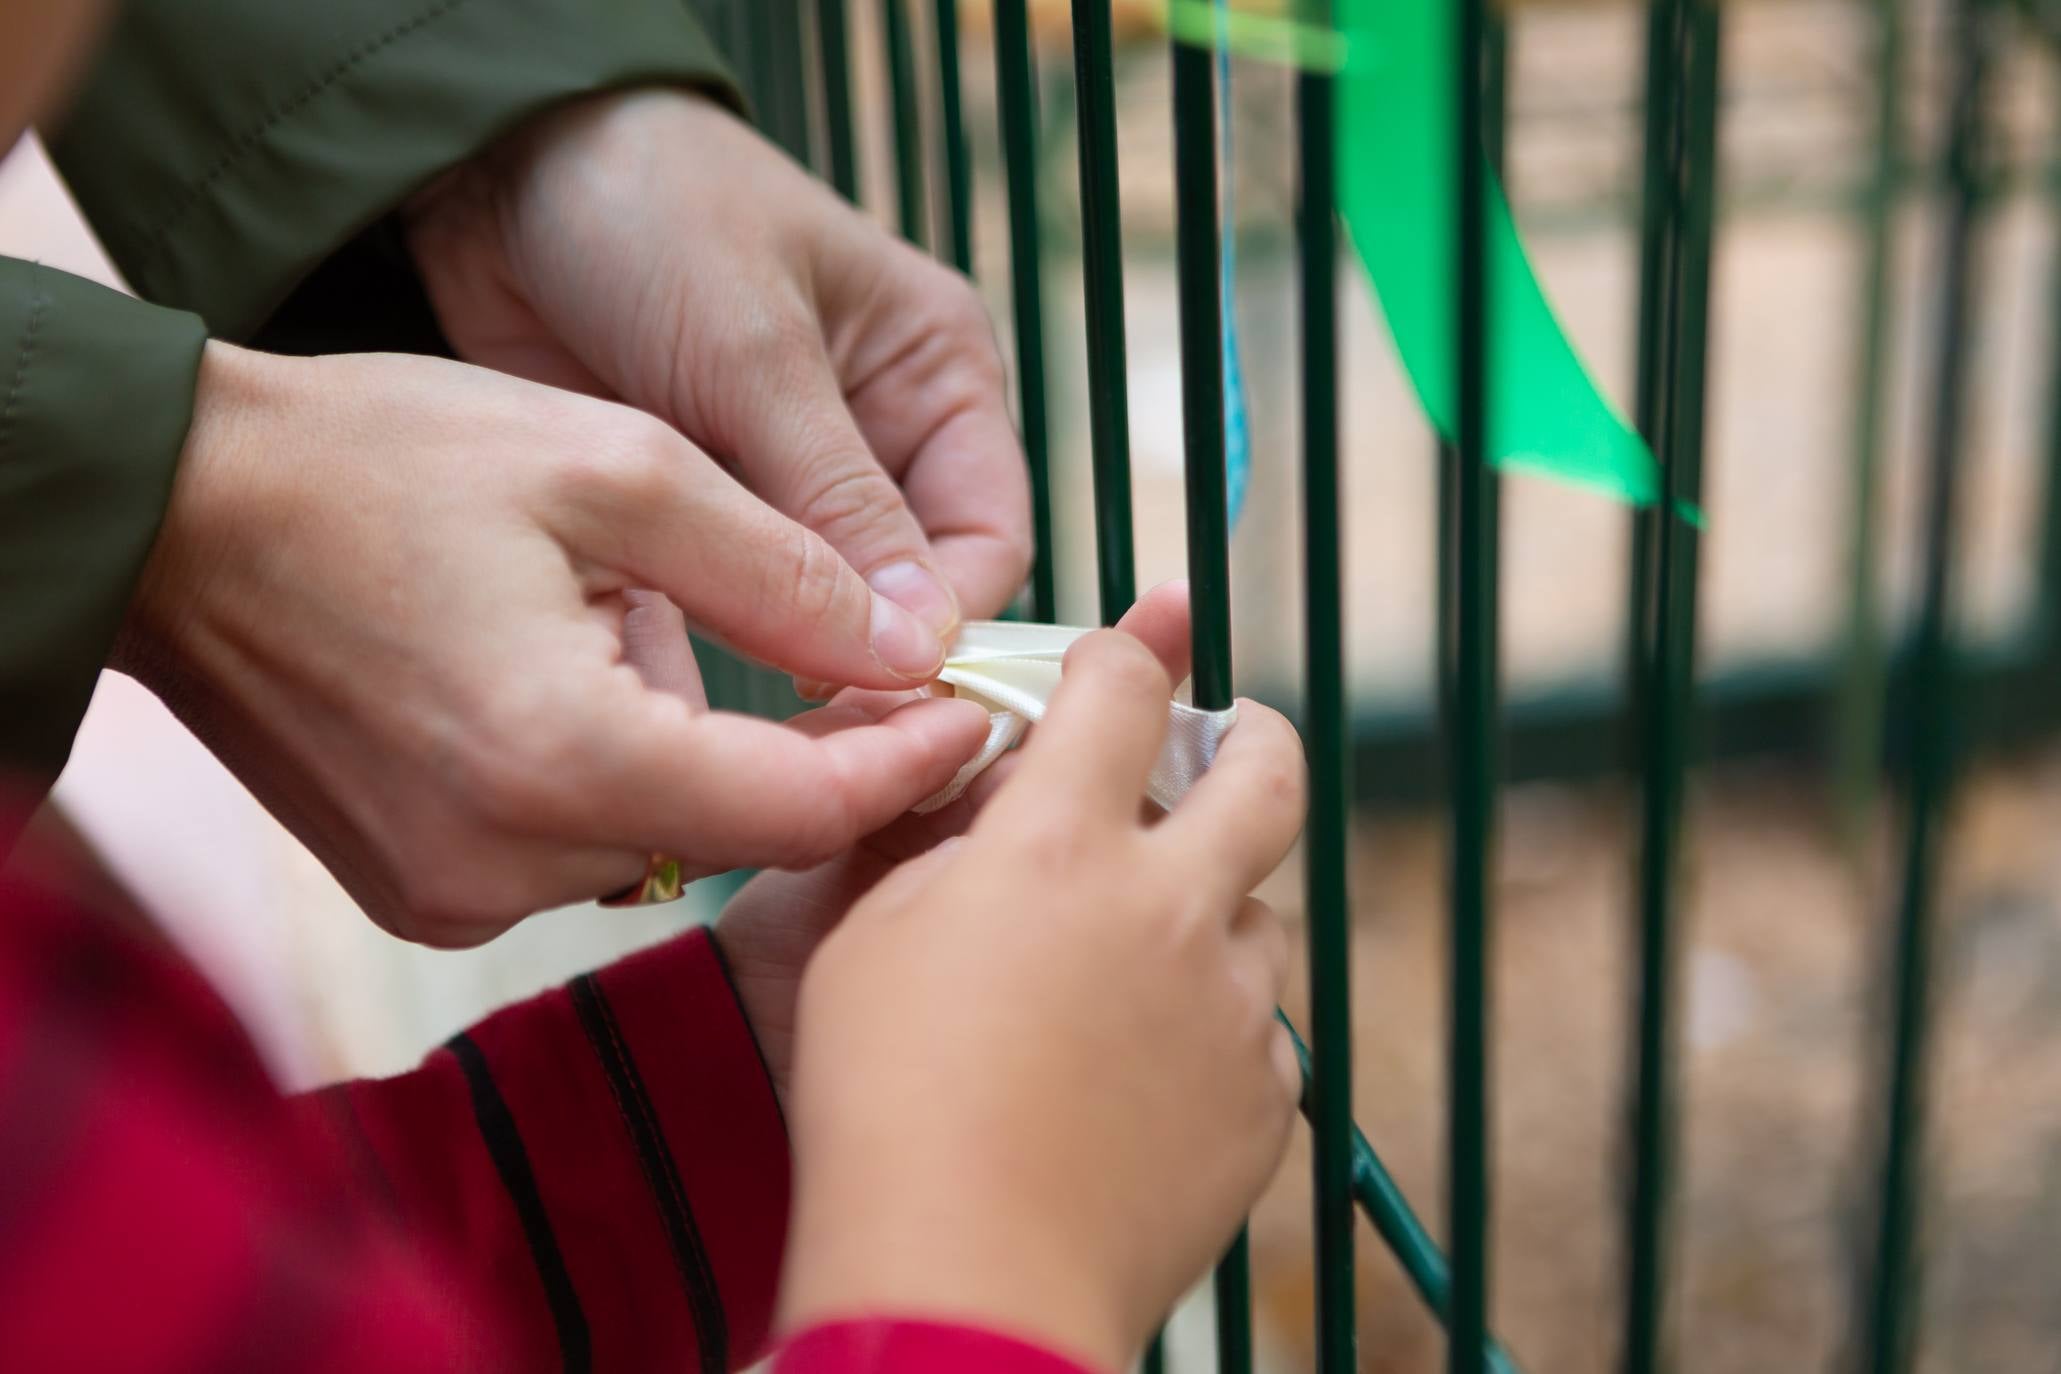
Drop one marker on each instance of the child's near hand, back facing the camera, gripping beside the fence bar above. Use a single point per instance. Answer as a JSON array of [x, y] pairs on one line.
[[1038, 1074]]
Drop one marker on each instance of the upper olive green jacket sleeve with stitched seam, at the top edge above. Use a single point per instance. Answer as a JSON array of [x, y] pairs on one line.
[[224, 149]]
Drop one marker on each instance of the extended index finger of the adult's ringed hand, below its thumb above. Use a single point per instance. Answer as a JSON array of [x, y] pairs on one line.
[[735, 792]]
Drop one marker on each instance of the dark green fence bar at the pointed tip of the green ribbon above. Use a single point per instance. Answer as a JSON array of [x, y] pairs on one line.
[[1666, 625]]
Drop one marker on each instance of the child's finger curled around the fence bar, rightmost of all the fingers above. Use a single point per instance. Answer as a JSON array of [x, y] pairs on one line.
[[1238, 823]]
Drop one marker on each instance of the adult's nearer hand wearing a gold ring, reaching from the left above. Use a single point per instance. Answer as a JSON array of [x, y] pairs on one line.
[[401, 600]]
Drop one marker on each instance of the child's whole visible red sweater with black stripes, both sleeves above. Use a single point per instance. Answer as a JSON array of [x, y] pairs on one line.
[[595, 1179]]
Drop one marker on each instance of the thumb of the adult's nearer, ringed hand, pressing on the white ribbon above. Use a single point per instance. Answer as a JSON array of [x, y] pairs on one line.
[[665, 516]]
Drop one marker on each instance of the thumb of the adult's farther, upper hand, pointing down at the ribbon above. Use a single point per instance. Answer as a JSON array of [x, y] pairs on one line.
[[792, 440]]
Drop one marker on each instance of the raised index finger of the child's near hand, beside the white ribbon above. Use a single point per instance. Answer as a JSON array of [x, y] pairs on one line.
[[1100, 734]]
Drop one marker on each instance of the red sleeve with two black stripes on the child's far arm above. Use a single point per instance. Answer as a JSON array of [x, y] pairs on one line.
[[607, 1161]]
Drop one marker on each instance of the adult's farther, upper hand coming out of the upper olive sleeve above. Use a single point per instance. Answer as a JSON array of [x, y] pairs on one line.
[[652, 248]]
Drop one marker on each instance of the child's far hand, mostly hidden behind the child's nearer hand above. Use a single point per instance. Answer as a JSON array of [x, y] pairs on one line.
[[772, 928]]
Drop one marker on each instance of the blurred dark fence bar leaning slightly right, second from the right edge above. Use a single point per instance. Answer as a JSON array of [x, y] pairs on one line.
[[1928, 751]]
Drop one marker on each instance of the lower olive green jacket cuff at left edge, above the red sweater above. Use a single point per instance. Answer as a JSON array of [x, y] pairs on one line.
[[96, 394]]
